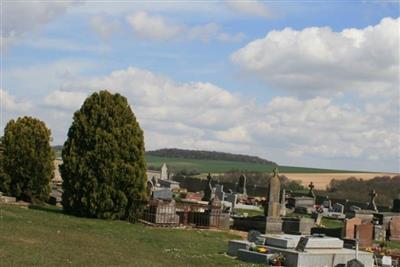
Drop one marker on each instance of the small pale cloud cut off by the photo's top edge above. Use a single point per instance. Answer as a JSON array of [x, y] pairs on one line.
[[249, 7]]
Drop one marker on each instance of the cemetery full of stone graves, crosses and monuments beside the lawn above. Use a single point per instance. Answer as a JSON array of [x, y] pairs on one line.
[[283, 229]]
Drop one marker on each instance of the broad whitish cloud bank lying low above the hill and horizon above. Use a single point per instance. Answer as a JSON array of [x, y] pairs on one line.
[[204, 116]]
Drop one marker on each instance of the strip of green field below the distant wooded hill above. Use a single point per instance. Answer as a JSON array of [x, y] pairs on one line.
[[219, 166]]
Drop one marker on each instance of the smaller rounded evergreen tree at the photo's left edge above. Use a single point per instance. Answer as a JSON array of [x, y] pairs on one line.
[[27, 159]]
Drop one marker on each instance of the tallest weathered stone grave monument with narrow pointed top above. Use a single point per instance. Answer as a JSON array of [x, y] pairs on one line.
[[273, 207]]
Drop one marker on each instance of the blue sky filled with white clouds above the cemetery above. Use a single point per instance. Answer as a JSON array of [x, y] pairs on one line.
[[301, 83]]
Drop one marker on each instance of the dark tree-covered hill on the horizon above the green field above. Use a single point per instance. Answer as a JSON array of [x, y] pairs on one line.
[[207, 155]]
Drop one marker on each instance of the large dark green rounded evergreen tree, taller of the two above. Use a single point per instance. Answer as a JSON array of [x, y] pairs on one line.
[[104, 170]]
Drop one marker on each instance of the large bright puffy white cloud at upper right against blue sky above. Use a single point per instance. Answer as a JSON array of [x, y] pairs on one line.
[[320, 61]]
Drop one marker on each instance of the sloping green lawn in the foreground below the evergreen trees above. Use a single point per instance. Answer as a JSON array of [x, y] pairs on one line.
[[47, 237]]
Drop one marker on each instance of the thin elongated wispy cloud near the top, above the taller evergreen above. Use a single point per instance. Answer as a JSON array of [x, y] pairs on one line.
[[155, 27]]
